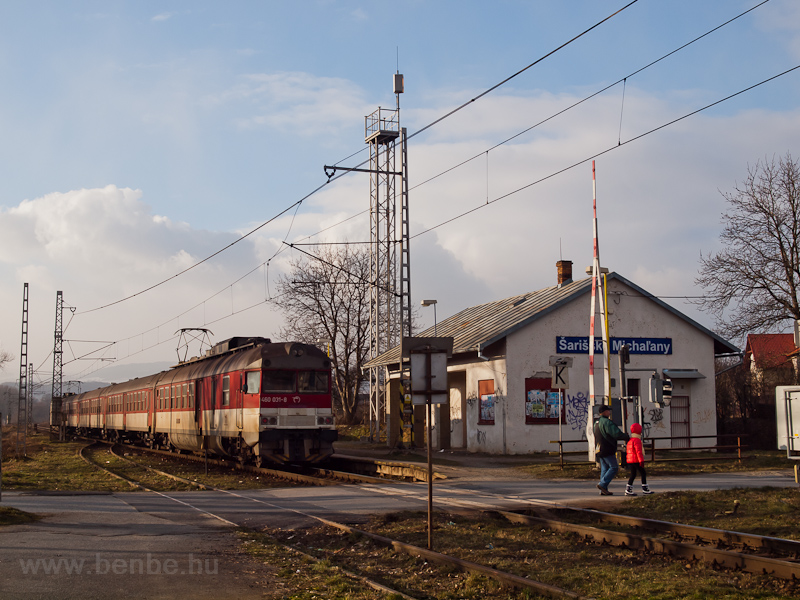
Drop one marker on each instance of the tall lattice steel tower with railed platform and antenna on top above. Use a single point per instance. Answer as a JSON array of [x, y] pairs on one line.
[[390, 288]]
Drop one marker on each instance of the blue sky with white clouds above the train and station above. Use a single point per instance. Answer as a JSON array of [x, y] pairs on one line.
[[138, 138]]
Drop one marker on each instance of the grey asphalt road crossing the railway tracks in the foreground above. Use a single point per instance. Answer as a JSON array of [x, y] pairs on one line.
[[182, 545]]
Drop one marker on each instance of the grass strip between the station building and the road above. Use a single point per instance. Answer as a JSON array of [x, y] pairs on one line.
[[692, 465]]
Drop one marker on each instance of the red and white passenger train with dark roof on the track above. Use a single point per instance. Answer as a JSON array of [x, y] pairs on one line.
[[247, 398]]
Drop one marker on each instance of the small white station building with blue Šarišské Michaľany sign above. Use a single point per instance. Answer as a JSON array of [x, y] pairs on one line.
[[501, 399]]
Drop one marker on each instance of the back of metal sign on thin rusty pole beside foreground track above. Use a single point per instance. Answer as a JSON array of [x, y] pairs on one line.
[[428, 358]]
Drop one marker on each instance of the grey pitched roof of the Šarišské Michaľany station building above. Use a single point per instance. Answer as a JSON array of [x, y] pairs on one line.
[[476, 327]]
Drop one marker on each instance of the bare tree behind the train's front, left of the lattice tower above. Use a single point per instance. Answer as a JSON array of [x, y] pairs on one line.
[[327, 301]]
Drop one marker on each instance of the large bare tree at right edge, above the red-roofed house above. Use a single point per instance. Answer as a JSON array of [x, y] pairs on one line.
[[752, 284]]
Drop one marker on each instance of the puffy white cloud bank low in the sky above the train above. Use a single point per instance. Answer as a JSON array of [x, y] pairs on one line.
[[101, 245]]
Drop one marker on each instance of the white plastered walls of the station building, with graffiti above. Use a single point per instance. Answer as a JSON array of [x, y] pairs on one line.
[[527, 354]]
